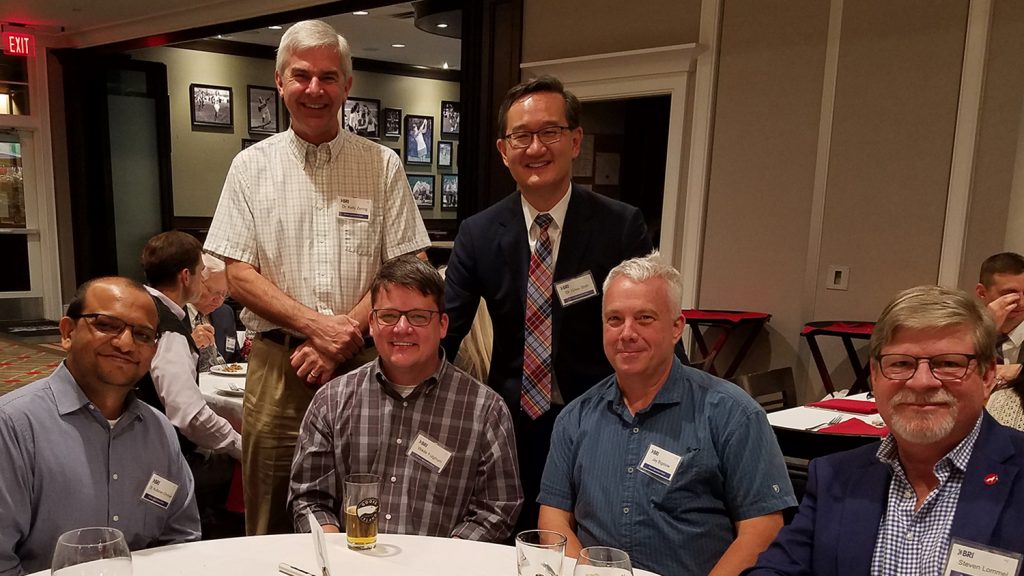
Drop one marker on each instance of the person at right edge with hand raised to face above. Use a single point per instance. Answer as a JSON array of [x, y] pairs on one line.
[[1001, 286]]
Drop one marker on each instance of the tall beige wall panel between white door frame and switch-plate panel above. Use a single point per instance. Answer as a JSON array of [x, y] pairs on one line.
[[762, 177]]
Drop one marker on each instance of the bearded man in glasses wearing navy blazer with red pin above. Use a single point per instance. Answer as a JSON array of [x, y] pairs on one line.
[[947, 472]]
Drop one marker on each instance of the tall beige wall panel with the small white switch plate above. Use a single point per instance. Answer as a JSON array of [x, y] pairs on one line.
[[898, 89]]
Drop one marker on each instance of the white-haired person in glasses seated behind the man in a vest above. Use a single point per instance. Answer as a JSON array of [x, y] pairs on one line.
[[212, 321]]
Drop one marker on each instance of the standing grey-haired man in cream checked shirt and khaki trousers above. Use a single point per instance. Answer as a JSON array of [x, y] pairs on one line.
[[305, 222]]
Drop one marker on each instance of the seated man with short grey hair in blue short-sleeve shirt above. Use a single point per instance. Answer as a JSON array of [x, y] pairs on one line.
[[675, 467]]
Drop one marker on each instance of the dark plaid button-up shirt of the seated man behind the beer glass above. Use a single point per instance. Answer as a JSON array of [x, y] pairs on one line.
[[359, 424]]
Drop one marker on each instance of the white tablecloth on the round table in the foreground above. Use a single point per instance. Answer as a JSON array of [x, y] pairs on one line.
[[395, 556]]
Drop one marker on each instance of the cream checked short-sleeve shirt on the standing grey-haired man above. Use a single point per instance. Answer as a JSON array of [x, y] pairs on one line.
[[281, 212]]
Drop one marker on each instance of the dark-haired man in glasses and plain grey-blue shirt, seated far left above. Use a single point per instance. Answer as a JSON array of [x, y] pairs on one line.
[[79, 450]]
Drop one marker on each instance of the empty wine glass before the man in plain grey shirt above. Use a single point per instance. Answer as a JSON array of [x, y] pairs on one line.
[[92, 552]]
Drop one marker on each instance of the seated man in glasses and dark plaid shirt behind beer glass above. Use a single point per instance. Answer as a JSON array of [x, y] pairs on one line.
[[442, 441]]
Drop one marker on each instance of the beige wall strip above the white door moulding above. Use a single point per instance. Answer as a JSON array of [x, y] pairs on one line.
[[562, 29]]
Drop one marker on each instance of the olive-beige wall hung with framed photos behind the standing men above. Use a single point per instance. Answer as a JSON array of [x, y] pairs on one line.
[[201, 159]]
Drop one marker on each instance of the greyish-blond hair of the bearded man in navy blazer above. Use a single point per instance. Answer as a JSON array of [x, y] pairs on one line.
[[927, 308]]
